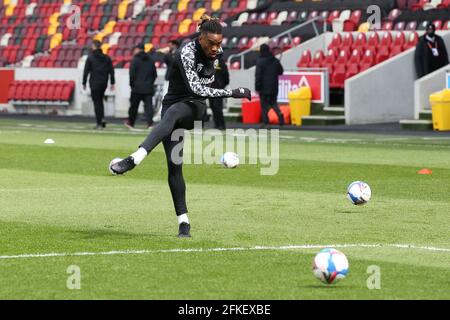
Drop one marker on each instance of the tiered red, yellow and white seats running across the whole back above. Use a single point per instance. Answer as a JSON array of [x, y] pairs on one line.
[[34, 34]]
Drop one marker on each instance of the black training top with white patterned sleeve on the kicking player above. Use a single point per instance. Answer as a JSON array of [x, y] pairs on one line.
[[191, 76]]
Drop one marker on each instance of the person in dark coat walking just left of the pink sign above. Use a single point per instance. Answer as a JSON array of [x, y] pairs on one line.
[[268, 68]]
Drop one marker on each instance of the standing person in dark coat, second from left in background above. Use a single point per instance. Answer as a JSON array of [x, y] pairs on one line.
[[142, 81]]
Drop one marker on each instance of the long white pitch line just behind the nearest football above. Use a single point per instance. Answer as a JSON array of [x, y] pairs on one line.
[[257, 248]]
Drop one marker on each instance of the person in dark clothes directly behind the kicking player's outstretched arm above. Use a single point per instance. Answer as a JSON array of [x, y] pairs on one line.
[[222, 80]]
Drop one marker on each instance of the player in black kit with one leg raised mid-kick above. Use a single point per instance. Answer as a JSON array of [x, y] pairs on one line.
[[191, 77]]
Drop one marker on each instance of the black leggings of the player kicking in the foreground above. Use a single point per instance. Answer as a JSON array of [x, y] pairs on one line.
[[178, 116]]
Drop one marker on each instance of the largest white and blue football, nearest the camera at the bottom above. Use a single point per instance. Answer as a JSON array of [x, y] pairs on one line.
[[330, 265]]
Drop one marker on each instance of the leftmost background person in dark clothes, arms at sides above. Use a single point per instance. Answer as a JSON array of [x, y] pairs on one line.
[[99, 67]]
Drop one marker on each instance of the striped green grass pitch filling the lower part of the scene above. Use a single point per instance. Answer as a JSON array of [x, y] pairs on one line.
[[61, 199]]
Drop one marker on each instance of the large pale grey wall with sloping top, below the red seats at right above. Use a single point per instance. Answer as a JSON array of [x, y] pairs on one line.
[[384, 93]]
